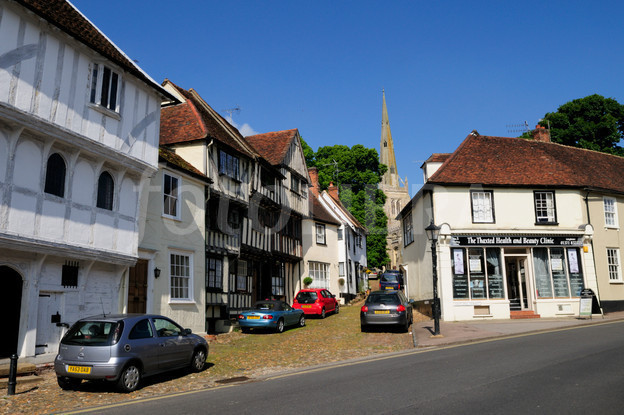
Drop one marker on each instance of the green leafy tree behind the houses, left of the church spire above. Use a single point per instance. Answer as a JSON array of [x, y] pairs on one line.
[[357, 172]]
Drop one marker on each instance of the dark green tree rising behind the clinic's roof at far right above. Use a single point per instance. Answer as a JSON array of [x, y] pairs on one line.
[[593, 122]]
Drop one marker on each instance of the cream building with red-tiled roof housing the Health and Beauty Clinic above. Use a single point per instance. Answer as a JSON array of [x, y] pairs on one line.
[[515, 238]]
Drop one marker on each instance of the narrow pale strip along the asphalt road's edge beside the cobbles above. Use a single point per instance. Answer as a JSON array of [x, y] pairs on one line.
[[345, 364]]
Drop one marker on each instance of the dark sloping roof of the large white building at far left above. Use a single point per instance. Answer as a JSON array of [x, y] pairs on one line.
[[66, 17]]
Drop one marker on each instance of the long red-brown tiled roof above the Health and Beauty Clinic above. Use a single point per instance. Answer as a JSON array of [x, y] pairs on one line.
[[504, 161]]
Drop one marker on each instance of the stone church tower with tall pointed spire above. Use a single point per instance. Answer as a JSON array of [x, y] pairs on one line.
[[396, 190]]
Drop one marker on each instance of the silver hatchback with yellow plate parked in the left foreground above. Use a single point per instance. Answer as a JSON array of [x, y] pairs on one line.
[[123, 348]]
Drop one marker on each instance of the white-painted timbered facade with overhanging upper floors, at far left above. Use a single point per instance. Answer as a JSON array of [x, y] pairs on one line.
[[45, 109]]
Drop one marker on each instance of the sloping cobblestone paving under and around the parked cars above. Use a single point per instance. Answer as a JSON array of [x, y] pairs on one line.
[[231, 355]]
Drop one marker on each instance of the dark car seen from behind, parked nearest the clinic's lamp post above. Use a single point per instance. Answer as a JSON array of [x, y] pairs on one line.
[[387, 307]]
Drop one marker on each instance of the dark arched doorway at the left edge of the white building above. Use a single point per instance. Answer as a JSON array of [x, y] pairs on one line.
[[10, 305]]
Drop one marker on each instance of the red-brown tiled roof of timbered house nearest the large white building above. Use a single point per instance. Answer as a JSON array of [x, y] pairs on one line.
[[194, 120]]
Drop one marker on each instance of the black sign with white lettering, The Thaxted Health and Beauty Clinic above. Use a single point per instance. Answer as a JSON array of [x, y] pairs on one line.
[[516, 240]]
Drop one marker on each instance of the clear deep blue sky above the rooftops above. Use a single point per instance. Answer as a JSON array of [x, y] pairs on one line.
[[447, 67]]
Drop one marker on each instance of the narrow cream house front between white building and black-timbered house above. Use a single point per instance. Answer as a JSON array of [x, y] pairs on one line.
[[165, 235]]
